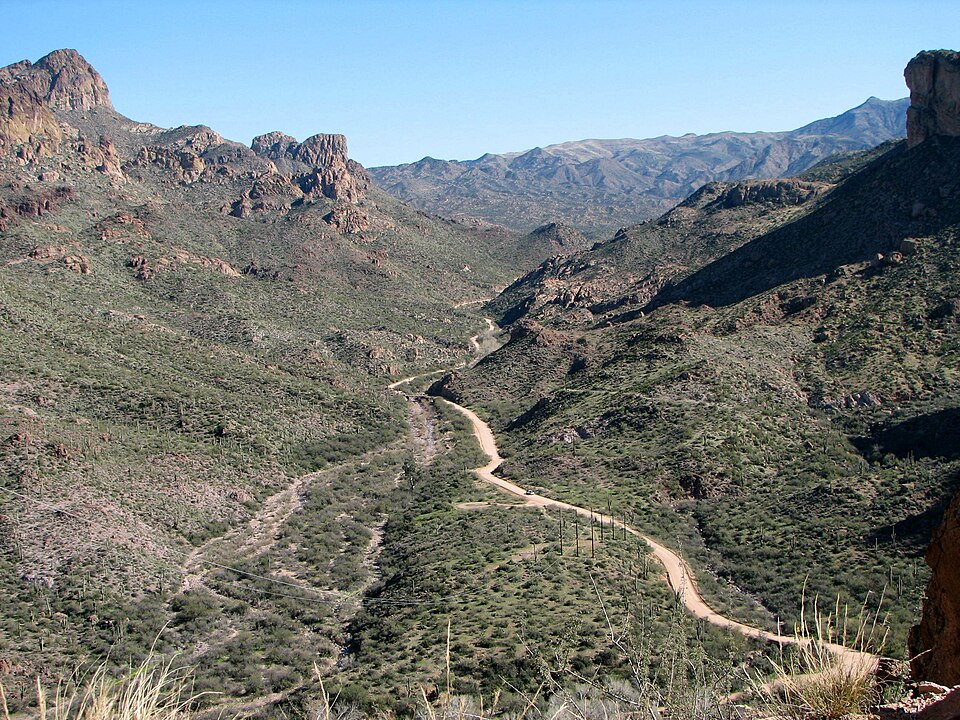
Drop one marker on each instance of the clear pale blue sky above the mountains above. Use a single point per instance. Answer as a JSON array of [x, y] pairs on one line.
[[453, 80]]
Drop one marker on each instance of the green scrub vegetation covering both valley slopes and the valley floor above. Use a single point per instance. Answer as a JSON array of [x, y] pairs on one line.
[[197, 436]]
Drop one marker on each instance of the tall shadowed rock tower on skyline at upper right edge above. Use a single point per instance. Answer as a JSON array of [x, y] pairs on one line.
[[934, 81]]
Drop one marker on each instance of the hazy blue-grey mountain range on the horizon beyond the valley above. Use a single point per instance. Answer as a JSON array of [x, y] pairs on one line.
[[599, 185]]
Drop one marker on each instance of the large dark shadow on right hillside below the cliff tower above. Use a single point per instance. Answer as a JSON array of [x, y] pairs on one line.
[[902, 193]]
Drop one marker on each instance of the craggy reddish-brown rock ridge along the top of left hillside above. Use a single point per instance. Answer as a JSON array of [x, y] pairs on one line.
[[61, 103]]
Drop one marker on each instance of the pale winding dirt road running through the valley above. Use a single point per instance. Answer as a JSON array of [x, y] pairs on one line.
[[679, 576]]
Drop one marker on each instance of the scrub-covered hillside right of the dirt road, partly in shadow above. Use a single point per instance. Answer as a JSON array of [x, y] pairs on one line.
[[758, 386]]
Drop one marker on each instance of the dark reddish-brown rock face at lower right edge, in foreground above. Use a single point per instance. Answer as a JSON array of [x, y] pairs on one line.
[[935, 642]]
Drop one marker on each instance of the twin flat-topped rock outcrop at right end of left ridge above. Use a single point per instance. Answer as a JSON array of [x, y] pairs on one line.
[[321, 161]]
